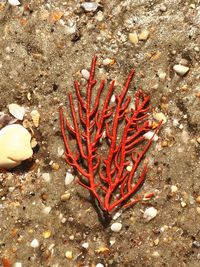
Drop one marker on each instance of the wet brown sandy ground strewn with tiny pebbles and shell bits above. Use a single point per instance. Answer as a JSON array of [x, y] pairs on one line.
[[44, 46]]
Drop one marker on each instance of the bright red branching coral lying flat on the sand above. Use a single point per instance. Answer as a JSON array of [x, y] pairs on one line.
[[112, 176]]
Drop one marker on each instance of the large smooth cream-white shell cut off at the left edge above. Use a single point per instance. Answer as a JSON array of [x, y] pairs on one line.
[[15, 144]]
